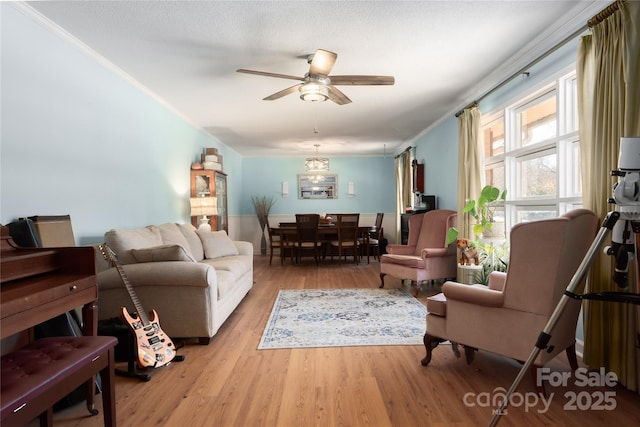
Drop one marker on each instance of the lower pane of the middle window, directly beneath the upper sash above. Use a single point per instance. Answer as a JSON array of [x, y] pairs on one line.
[[537, 176]]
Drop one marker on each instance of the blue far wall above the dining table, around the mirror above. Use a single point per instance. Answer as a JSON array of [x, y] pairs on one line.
[[373, 179]]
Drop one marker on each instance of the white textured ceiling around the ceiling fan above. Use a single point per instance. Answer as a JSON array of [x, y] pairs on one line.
[[441, 53]]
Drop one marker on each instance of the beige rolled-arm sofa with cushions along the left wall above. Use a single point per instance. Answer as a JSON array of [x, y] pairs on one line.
[[193, 279]]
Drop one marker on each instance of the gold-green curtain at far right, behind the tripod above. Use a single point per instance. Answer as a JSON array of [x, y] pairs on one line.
[[608, 76]]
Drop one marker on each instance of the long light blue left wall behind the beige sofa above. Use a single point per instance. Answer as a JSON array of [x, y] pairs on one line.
[[78, 139]]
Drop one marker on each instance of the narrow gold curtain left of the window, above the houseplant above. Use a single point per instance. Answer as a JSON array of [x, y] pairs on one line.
[[469, 164]]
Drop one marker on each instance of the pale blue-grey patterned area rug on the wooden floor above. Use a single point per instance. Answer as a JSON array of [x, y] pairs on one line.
[[343, 318]]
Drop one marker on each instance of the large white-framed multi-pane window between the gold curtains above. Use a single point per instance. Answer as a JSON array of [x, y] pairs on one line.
[[531, 148]]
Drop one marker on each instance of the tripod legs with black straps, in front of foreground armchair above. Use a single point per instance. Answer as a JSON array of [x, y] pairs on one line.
[[545, 337]]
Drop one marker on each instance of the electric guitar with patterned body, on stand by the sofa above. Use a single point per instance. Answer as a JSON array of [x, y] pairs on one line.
[[153, 347]]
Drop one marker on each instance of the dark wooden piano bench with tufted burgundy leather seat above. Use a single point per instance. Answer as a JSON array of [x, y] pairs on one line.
[[38, 375]]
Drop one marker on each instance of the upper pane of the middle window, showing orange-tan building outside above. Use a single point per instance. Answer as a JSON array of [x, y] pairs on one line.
[[538, 122]]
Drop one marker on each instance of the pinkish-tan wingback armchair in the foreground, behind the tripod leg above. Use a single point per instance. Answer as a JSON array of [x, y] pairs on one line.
[[507, 316]]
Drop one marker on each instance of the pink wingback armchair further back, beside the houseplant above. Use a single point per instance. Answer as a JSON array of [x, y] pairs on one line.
[[426, 256]]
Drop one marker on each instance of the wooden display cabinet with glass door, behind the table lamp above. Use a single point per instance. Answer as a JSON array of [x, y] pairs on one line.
[[210, 183]]
